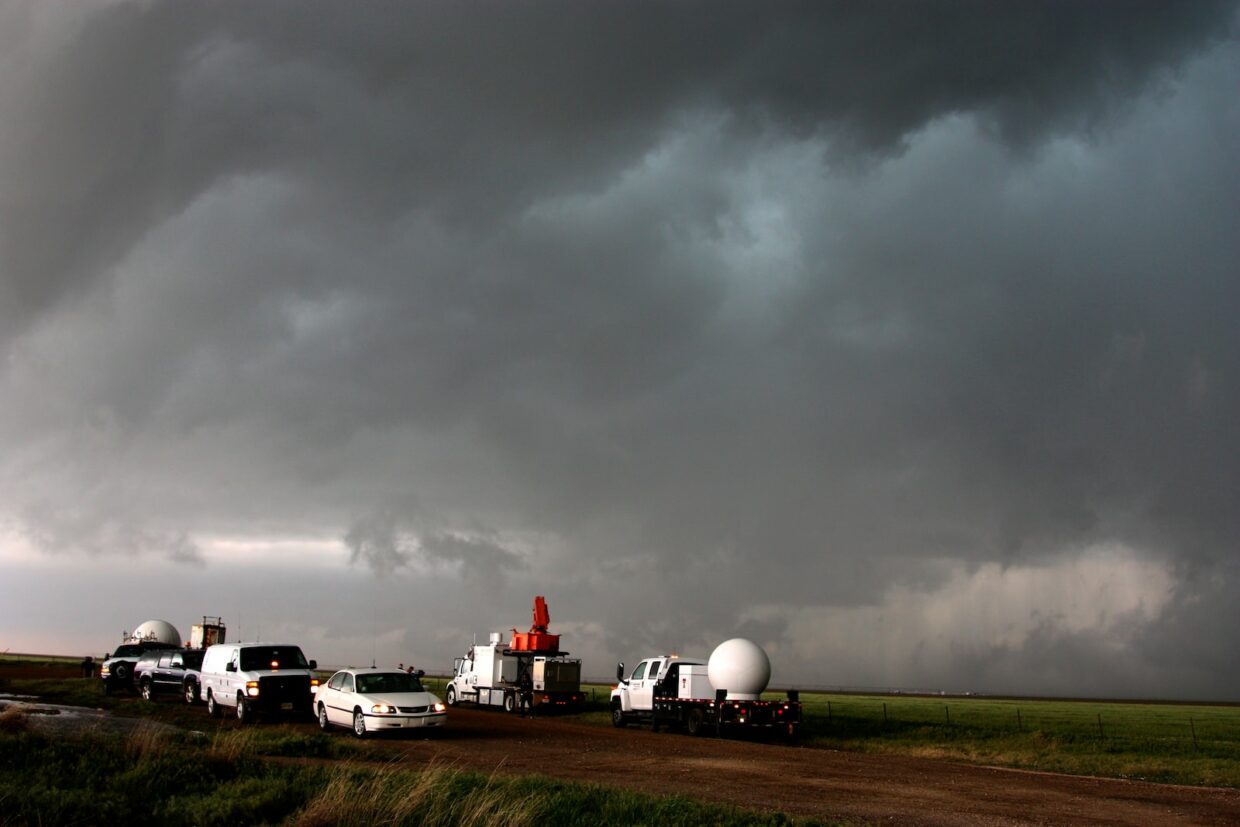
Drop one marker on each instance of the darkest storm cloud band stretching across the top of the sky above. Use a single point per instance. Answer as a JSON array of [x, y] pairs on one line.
[[127, 112]]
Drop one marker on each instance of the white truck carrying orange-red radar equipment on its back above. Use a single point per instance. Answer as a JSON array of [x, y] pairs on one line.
[[530, 670]]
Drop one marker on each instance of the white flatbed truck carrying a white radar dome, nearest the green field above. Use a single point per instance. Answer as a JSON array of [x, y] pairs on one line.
[[720, 696]]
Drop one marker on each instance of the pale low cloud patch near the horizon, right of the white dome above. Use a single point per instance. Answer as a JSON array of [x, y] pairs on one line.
[[1081, 622]]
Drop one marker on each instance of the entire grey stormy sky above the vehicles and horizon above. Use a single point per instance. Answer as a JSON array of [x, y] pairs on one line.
[[898, 338]]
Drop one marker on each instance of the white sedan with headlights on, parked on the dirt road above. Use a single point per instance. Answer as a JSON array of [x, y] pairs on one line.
[[371, 701]]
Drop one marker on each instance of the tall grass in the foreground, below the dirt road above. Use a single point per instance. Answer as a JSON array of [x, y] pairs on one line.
[[179, 779]]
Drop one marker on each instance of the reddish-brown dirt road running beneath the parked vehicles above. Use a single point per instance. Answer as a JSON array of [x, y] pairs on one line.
[[797, 781]]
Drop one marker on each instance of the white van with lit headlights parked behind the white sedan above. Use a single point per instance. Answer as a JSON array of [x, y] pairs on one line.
[[257, 679]]
